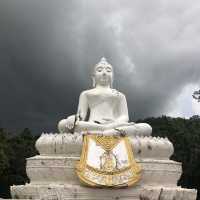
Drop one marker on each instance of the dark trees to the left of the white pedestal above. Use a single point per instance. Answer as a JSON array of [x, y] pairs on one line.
[[14, 149]]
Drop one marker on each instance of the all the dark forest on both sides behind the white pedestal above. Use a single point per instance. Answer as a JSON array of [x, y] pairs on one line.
[[183, 133]]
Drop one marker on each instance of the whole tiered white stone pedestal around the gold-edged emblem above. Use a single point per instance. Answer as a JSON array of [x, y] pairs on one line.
[[52, 173]]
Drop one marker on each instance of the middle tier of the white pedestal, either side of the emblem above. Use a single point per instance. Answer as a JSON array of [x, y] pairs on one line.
[[61, 170]]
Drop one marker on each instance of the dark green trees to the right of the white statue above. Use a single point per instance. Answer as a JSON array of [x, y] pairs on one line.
[[185, 136]]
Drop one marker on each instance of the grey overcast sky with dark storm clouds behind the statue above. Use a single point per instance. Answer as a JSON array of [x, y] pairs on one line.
[[48, 49]]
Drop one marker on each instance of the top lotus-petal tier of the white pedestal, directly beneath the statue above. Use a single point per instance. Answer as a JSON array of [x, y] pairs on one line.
[[71, 145]]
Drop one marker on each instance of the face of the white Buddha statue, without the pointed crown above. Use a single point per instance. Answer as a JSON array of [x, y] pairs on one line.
[[103, 75]]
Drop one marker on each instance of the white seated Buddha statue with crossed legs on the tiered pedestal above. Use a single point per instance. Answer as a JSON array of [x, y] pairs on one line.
[[102, 109]]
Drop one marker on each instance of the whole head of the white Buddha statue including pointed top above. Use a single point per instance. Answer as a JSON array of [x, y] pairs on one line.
[[103, 74]]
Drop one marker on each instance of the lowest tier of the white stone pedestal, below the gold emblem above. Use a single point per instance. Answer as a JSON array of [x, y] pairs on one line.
[[72, 192]]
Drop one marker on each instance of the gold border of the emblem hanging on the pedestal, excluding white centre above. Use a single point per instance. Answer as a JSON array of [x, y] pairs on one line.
[[93, 177]]
